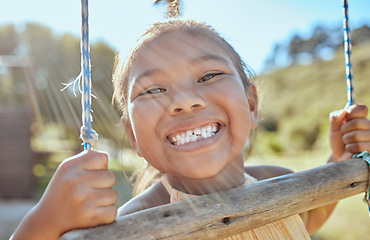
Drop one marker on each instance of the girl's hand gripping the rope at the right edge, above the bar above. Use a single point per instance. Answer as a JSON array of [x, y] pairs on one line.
[[349, 132]]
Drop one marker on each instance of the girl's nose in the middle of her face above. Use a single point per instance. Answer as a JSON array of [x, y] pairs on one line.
[[186, 102]]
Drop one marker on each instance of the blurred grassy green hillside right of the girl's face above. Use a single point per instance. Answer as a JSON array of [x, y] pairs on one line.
[[296, 101]]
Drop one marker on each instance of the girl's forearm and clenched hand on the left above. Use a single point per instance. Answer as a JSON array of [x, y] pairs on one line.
[[79, 195]]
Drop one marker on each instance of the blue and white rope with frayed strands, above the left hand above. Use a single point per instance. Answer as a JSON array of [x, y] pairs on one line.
[[88, 135]]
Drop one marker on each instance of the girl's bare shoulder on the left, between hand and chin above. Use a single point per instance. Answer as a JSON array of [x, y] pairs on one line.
[[154, 196]]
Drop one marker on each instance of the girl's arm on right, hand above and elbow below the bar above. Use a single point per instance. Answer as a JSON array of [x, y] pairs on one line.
[[349, 134]]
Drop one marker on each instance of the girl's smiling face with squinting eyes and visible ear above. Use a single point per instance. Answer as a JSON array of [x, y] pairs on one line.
[[189, 112]]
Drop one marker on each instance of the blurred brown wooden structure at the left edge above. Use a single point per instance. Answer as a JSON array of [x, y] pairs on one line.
[[16, 155]]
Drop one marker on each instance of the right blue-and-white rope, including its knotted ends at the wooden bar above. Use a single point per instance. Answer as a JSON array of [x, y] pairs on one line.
[[350, 91]]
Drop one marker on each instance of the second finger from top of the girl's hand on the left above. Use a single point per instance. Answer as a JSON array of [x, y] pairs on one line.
[[100, 178]]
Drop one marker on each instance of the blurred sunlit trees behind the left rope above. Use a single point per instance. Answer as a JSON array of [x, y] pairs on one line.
[[53, 60]]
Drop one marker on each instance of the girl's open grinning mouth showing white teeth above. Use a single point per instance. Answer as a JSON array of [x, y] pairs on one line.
[[194, 135]]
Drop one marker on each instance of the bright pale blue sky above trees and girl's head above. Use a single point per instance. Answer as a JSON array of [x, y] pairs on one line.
[[252, 27]]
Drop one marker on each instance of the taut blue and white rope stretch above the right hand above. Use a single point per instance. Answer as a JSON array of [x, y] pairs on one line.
[[347, 55]]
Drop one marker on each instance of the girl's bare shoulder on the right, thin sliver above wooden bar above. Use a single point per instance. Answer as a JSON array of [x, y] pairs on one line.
[[266, 171]]
